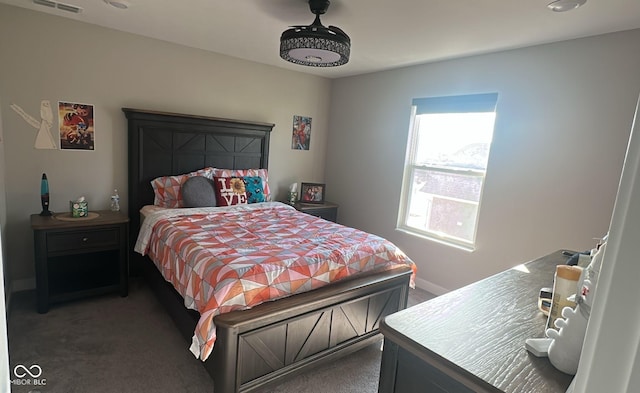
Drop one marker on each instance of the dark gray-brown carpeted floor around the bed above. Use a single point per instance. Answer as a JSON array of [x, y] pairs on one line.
[[113, 344]]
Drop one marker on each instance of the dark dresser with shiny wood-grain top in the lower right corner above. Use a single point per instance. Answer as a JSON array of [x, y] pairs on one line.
[[473, 339]]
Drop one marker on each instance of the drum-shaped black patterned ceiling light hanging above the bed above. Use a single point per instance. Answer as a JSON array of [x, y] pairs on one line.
[[316, 45]]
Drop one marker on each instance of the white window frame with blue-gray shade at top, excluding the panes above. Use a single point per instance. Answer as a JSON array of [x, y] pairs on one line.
[[474, 103]]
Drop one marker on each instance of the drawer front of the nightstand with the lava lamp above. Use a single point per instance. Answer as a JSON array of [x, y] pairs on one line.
[[86, 239]]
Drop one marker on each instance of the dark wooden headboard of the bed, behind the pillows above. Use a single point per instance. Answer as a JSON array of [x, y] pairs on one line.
[[162, 144]]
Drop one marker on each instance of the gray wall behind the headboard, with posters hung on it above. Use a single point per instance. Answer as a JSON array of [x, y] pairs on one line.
[[47, 57]]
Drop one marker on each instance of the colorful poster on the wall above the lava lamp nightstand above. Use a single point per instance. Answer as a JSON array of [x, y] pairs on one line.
[[76, 126]]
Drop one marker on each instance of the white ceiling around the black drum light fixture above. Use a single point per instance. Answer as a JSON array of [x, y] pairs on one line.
[[384, 34]]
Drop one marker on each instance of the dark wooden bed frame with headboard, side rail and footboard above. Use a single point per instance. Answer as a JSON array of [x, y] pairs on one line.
[[255, 348]]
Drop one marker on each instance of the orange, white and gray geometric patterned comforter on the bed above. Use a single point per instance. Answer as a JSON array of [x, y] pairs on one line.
[[223, 259]]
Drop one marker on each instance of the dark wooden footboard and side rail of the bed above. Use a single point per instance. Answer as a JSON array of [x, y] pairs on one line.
[[259, 347]]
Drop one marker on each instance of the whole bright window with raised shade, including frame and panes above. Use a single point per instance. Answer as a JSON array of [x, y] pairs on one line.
[[446, 163]]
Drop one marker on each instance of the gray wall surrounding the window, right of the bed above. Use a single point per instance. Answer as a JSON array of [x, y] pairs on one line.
[[564, 117]]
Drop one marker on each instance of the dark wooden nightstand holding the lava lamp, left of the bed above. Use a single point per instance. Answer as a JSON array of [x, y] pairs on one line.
[[80, 257]]
